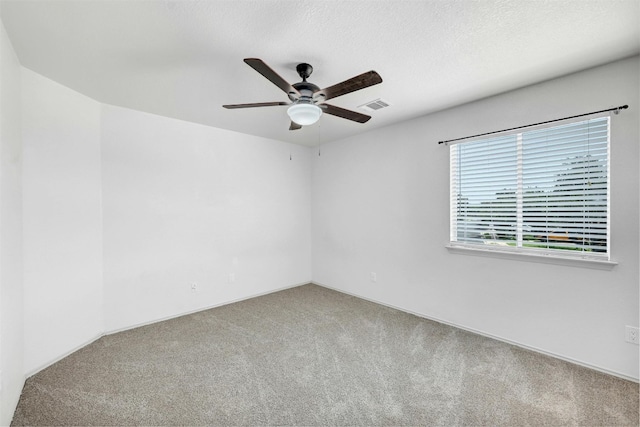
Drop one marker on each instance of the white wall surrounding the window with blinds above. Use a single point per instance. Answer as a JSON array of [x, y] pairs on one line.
[[380, 203]]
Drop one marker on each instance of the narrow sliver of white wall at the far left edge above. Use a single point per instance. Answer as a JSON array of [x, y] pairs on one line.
[[11, 309]]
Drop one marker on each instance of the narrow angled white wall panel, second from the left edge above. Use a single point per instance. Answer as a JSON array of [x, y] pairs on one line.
[[62, 220]]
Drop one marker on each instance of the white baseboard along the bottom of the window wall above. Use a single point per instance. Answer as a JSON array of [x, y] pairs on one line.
[[484, 334]]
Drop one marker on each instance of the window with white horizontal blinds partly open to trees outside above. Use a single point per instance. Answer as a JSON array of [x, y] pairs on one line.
[[543, 191]]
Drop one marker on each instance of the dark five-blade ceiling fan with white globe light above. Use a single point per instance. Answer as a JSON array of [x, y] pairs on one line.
[[308, 100]]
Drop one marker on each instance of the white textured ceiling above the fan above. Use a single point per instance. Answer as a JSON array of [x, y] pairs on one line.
[[183, 59]]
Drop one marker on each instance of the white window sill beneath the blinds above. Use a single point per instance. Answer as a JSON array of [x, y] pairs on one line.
[[527, 256]]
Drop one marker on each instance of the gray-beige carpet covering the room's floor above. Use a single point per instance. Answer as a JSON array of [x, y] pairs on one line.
[[312, 356]]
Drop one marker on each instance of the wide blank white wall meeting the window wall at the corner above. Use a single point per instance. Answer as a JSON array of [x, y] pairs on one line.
[[187, 203]]
